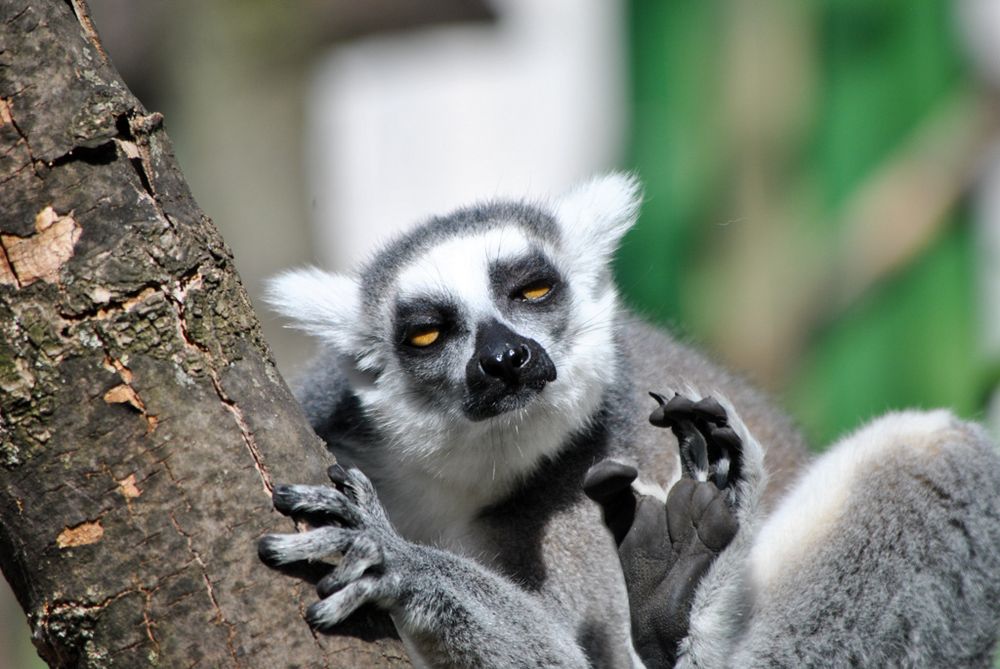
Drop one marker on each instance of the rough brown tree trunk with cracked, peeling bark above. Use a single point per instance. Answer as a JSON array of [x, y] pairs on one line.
[[142, 421]]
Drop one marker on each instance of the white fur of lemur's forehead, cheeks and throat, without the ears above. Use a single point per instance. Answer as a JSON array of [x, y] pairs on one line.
[[444, 456]]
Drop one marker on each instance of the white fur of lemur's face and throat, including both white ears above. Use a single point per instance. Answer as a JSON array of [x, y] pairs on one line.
[[444, 466]]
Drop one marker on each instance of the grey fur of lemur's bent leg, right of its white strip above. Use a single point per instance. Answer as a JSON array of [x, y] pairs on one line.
[[908, 577]]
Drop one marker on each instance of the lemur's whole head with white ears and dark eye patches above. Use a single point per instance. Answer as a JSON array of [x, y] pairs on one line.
[[490, 317]]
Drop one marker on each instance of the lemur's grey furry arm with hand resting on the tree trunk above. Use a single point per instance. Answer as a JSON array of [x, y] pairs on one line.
[[449, 610]]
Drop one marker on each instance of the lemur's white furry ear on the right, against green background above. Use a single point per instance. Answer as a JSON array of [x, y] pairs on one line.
[[595, 215]]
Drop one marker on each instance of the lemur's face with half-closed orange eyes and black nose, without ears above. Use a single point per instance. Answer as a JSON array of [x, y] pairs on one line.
[[474, 320]]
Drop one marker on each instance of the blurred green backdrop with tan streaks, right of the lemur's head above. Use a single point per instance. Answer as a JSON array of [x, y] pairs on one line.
[[846, 85]]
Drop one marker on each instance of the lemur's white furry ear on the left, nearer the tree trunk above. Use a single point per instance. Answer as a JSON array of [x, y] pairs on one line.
[[325, 305]]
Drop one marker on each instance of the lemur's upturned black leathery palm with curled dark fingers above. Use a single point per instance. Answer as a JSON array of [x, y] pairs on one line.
[[666, 549]]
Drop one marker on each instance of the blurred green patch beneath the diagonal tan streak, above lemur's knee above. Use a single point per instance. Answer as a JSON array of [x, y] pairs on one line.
[[909, 342]]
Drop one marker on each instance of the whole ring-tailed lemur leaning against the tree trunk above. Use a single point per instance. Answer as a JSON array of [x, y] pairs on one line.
[[478, 367]]
